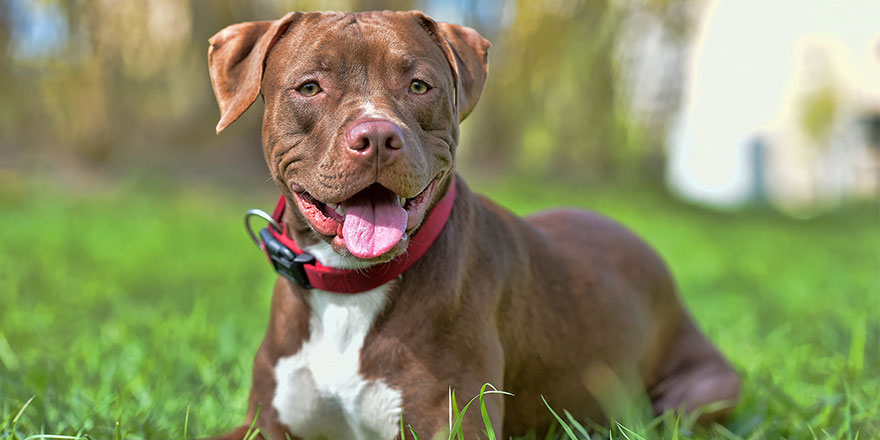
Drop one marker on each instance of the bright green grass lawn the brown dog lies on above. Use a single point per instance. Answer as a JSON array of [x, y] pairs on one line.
[[134, 313]]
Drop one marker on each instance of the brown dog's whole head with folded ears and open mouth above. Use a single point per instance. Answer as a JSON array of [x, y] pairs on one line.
[[361, 118]]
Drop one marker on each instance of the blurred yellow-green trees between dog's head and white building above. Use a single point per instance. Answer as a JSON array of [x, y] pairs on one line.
[[558, 100]]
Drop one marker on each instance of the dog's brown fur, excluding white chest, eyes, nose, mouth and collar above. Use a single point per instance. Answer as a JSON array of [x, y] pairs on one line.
[[565, 304]]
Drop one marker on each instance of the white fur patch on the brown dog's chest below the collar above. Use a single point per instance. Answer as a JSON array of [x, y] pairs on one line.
[[320, 392]]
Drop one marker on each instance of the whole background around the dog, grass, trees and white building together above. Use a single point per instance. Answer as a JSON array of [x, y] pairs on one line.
[[740, 138]]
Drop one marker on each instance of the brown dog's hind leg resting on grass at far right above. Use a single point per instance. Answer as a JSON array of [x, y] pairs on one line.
[[696, 377]]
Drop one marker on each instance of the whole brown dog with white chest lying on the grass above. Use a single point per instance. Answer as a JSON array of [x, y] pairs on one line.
[[360, 132]]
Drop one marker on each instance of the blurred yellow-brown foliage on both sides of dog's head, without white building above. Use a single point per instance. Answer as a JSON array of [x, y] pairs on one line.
[[95, 81]]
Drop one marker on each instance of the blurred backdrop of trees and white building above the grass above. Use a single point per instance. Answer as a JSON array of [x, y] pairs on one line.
[[724, 102]]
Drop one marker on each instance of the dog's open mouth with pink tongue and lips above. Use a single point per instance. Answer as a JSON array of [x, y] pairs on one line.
[[369, 223]]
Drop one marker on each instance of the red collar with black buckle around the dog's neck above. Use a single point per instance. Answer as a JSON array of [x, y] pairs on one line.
[[332, 279]]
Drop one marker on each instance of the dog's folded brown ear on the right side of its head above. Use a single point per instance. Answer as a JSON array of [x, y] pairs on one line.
[[467, 54]]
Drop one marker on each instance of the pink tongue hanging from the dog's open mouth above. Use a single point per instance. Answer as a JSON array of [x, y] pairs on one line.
[[374, 222]]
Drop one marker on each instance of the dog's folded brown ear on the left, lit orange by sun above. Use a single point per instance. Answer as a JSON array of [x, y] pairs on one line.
[[236, 59]]
